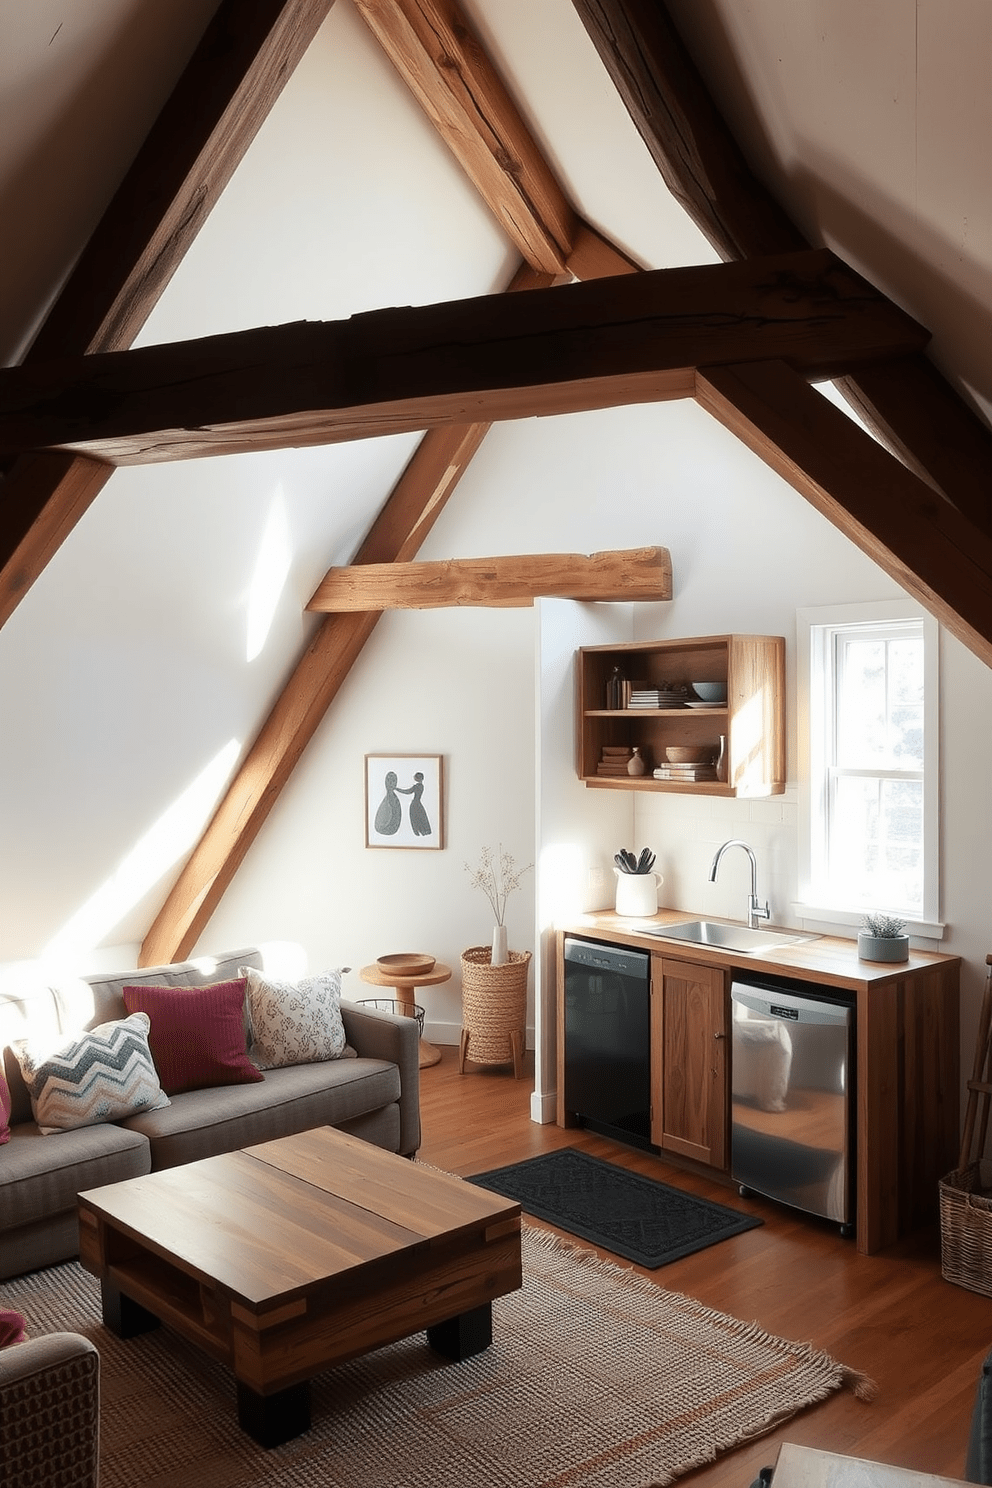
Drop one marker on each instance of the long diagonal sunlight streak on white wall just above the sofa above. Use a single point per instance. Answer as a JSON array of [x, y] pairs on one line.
[[161, 847]]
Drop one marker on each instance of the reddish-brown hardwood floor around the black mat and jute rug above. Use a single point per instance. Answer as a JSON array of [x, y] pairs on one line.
[[890, 1316]]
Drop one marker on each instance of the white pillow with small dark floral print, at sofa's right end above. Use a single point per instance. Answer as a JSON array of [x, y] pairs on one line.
[[294, 1023]]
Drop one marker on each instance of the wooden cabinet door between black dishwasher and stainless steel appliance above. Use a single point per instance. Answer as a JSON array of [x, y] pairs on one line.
[[689, 1060]]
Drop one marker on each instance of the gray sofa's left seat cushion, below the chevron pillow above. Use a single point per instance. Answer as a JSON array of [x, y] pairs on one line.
[[41, 1178]]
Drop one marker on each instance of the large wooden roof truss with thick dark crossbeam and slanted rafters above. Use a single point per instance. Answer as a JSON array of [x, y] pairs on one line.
[[924, 517]]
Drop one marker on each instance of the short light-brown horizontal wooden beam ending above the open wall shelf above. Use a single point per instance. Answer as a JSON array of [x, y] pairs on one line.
[[503, 583]]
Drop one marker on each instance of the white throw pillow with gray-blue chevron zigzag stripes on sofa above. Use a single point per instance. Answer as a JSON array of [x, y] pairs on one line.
[[91, 1078]]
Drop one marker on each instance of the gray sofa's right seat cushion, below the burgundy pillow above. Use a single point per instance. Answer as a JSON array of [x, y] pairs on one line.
[[202, 1124]]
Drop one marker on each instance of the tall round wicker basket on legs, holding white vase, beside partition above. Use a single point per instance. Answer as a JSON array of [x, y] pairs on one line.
[[493, 1008]]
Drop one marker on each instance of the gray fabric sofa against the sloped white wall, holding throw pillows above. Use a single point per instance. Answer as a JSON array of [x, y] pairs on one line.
[[374, 1096]]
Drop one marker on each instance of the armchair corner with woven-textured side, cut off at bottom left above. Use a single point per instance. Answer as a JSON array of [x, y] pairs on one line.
[[50, 1411]]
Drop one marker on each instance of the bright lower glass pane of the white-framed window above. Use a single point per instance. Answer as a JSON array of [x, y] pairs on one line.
[[877, 836]]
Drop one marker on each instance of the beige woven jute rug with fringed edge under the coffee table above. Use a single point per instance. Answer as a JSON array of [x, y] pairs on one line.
[[597, 1379]]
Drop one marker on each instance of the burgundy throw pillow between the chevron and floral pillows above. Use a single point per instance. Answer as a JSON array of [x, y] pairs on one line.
[[197, 1036]]
